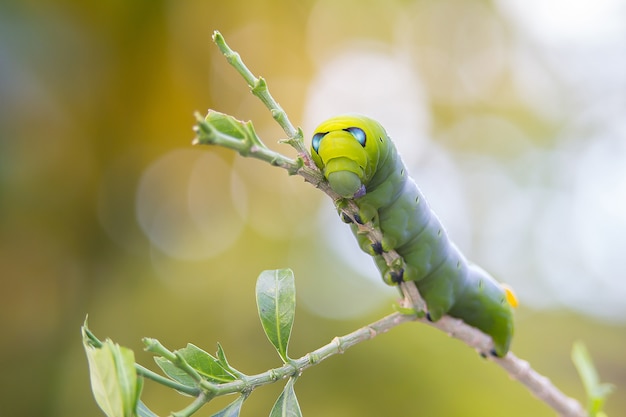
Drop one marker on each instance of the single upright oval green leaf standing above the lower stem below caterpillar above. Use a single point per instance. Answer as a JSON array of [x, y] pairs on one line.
[[276, 302]]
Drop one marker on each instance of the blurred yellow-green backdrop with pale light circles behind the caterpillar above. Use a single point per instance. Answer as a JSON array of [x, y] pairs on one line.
[[511, 117]]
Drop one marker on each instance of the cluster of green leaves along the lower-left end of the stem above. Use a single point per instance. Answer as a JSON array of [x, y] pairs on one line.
[[117, 381]]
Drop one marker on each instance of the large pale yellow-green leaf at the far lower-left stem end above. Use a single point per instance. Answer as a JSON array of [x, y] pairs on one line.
[[114, 381]]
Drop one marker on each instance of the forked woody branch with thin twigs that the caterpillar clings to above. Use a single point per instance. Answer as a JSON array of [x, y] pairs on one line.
[[208, 132]]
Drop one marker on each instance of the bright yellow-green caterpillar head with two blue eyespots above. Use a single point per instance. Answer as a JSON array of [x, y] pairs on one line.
[[348, 149]]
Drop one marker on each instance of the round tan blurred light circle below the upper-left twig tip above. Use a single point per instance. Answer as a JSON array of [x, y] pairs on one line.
[[177, 208]]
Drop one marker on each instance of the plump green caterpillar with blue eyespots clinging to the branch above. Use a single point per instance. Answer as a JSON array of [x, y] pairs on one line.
[[360, 162]]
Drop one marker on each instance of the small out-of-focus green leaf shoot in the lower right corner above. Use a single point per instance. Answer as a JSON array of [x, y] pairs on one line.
[[596, 392]]
